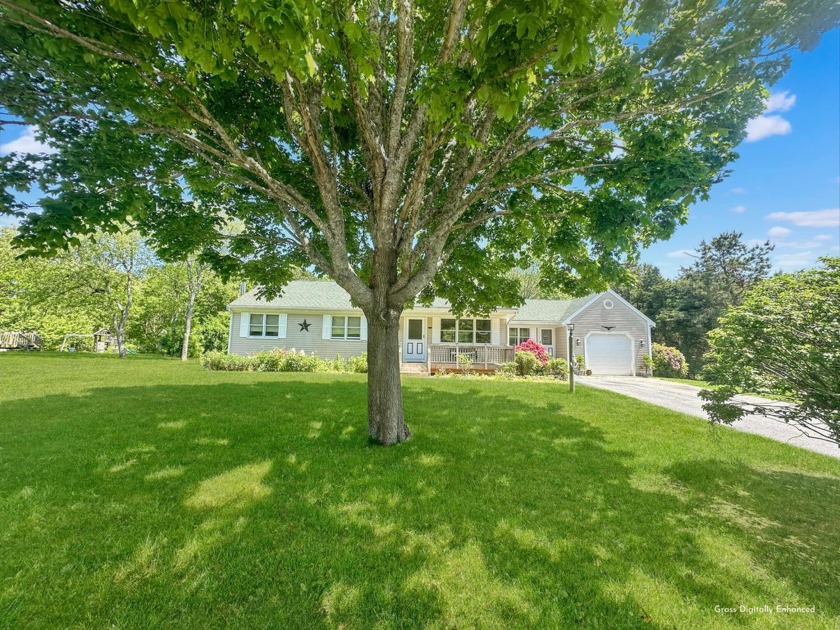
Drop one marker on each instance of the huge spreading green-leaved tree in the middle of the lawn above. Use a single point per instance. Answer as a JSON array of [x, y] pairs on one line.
[[404, 148]]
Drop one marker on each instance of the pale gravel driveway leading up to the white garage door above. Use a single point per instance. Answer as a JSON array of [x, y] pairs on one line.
[[683, 398]]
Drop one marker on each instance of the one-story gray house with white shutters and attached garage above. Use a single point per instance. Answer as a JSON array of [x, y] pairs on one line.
[[317, 317]]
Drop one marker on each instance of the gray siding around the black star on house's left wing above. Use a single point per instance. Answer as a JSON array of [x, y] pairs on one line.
[[308, 341]]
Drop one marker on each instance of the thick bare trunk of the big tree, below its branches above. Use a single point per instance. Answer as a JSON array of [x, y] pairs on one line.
[[386, 424]]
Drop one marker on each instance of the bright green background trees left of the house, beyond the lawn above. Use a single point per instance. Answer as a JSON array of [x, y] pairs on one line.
[[117, 282]]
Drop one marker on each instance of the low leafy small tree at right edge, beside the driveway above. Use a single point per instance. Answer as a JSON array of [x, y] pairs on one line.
[[784, 341]]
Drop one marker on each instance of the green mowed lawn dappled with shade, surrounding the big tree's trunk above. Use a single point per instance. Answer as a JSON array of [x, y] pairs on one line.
[[147, 493]]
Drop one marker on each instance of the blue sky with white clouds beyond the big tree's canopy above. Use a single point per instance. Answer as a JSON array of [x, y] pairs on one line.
[[785, 186]]
